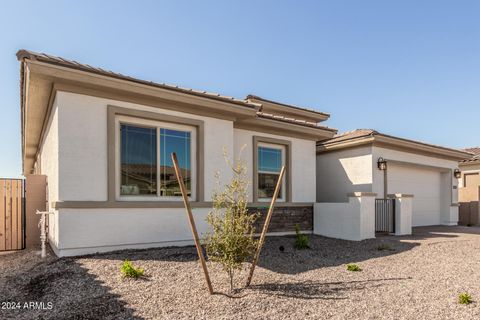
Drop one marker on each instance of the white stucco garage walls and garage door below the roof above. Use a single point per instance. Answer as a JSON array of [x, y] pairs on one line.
[[429, 177]]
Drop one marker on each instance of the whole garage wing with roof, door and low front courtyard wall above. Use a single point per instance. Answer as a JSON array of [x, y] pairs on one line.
[[416, 177]]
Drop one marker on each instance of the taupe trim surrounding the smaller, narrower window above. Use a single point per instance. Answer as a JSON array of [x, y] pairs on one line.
[[288, 161]]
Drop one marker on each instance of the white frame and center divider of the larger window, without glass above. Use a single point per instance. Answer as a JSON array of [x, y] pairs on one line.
[[120, 119]]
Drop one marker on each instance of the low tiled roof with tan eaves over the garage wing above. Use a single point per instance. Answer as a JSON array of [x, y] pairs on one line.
[[360, 137]]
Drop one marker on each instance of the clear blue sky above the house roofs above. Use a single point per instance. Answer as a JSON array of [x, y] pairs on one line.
[[406, 68]]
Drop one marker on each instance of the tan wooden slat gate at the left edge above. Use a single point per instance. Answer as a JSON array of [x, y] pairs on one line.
[[12, 214]]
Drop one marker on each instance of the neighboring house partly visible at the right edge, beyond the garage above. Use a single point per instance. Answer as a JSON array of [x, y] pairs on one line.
[[469, 188]]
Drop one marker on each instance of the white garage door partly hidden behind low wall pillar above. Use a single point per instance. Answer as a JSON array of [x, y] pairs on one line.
[[425, 185]]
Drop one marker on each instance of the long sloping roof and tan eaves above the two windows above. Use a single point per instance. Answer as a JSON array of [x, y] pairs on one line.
[[43, 75]]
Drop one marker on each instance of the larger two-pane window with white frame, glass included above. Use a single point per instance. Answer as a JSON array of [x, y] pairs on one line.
[[144, 166]]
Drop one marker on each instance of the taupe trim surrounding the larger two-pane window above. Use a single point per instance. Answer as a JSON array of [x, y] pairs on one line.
[[113, 157]]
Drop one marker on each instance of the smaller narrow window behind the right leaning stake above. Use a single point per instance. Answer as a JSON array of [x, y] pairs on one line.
[[271, 158]]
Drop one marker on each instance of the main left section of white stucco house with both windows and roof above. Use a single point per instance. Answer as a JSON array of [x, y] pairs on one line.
[[103, 140]]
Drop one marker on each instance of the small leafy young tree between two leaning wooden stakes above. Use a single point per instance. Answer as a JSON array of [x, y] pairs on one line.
[[231, 241]]
